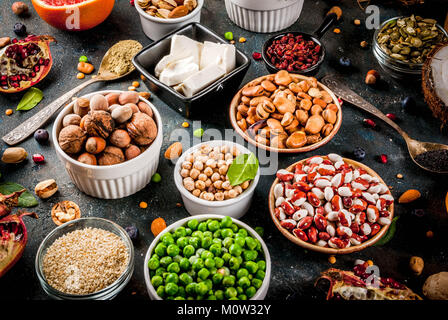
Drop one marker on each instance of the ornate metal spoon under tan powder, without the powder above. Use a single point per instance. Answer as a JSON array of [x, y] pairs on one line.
[[28, 127]]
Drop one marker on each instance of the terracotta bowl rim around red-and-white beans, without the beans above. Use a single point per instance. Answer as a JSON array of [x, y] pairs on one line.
[[328, 250]]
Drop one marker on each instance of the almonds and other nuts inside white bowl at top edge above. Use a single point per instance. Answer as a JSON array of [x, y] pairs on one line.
[[168, 9]]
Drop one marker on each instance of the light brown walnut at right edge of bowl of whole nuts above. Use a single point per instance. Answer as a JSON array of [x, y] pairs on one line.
[[142, 129]]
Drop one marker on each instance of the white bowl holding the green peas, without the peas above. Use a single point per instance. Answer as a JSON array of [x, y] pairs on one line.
[[261, 292]]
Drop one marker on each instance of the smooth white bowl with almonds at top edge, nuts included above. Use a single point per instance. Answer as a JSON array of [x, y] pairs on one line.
[[160, 17]]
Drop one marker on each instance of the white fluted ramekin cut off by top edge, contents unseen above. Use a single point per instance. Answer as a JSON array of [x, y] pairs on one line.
[[264, 16]]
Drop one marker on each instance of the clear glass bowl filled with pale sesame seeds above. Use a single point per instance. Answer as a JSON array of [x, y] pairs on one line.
[[85, 259]]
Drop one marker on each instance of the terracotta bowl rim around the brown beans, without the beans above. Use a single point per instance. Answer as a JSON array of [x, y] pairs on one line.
[[236, 100]]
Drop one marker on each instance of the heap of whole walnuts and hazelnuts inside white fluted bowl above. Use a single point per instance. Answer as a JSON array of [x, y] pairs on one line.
[[108, 129]]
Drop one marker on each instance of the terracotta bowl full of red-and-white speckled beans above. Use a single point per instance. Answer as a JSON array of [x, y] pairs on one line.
[[331, 204]]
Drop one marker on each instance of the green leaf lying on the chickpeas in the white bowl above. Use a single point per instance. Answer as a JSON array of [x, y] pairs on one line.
[[243, 168]]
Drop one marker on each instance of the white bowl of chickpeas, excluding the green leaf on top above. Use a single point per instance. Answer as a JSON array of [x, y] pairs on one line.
[[201, 177]]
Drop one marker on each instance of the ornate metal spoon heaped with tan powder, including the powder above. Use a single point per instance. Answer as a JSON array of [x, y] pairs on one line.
[[116, 63]]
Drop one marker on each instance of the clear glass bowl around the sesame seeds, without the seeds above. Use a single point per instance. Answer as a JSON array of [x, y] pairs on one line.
[[107, 293]]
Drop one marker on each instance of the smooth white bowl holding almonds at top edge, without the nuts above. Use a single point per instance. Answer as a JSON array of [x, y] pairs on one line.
[[156, 28]]
